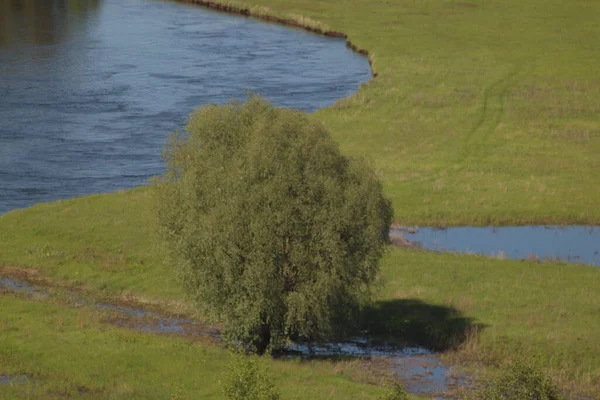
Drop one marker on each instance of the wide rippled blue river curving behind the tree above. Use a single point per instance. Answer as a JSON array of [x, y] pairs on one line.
[[90, 89]]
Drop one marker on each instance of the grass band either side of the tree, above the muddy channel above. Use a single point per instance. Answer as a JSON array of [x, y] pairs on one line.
[[480, 312]]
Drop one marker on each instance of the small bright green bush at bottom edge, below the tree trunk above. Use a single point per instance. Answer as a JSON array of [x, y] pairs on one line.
[[248, 380]]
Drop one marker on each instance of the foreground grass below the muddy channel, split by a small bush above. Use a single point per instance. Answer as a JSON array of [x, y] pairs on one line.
[[67, 352]]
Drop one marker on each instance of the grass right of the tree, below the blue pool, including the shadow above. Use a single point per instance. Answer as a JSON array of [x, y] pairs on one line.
[[498, 311]]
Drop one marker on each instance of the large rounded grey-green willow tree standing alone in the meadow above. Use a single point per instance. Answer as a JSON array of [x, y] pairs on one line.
[[275, 234]]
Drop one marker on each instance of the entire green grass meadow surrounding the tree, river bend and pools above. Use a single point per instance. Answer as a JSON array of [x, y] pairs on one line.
[[482, 112]]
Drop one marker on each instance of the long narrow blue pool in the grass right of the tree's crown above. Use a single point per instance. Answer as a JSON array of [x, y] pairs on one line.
[[574, 244]]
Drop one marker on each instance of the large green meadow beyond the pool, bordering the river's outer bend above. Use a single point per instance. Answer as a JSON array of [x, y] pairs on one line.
[[483, 112]]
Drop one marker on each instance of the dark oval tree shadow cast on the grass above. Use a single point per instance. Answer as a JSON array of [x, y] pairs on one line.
[[414, 322]]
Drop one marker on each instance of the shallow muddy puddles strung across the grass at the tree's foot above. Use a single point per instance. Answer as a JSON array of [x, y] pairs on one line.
[[421, 370]]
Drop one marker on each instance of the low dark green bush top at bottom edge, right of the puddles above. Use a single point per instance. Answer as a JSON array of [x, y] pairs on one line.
[[520, 382]]
